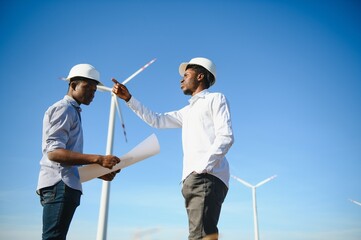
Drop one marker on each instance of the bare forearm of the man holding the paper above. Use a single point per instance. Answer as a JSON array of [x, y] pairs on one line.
[[72, 158]]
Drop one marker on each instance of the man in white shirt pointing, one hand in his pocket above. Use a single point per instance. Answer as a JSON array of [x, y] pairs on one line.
[[206, 138]]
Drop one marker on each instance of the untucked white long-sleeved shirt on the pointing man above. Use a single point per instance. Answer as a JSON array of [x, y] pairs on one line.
[[206, 132]]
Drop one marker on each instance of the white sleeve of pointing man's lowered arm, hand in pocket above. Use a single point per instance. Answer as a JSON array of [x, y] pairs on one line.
[[224, 138]]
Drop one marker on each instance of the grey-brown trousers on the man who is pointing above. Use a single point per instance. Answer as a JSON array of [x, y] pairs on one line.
[[204, 195]]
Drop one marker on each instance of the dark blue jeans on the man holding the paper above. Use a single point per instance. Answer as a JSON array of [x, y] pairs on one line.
[[59, 203]]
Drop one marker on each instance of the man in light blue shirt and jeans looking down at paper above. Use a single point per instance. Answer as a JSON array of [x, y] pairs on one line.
[[59, 184]]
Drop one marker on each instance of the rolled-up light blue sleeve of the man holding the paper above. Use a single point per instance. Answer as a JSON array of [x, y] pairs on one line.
[[58, 123]]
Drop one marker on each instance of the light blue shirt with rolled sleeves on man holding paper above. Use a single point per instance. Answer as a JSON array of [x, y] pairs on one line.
[[61, 130]]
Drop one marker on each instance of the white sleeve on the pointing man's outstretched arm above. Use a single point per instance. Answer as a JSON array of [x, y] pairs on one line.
[[157, 120]]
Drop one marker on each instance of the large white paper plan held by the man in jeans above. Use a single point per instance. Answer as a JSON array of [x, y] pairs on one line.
[[149, 147]]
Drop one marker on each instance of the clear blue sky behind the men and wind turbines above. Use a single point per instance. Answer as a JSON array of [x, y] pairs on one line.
[[291, 71]]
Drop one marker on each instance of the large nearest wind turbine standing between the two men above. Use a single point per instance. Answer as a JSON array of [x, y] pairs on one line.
[[104, 200]]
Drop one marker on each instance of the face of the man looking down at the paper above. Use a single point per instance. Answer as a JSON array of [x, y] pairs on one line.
[[84, 91]]
